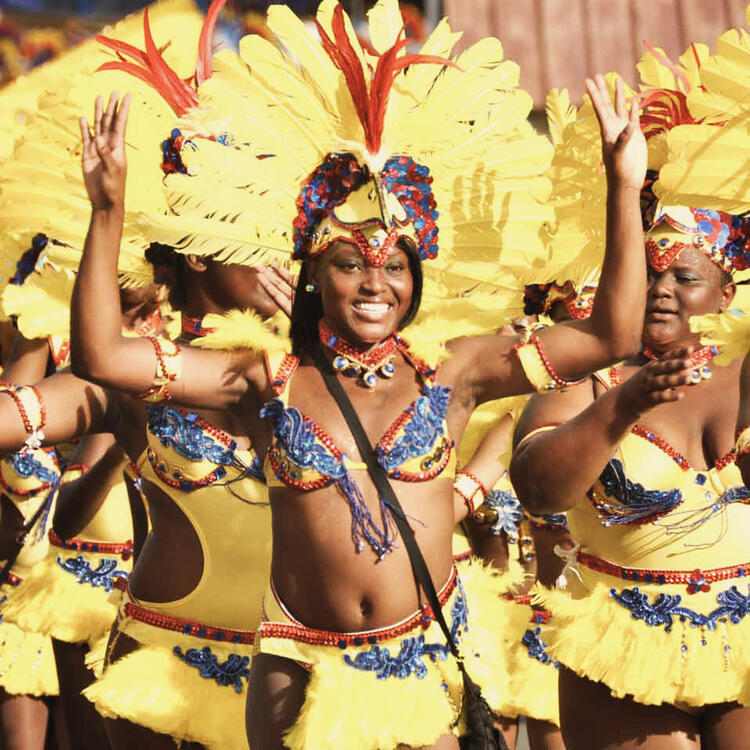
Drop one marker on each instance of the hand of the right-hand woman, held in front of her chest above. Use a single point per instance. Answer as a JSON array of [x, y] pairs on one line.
[[658, 382]]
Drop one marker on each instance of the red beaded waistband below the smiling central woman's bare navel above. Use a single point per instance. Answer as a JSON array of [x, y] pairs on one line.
[[298, 632]]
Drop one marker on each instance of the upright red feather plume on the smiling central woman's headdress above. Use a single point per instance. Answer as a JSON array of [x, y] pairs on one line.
[[370, 102]]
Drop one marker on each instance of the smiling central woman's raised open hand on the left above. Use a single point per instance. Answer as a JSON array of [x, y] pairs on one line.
[[103, 155]]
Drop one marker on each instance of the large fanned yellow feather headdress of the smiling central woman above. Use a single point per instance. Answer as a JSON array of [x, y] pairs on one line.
[[452, 131]]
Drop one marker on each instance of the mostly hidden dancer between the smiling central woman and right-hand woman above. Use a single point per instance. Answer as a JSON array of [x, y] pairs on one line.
[[504, 537]]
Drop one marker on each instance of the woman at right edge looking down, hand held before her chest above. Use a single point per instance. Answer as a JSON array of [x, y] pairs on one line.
[[651, 620]]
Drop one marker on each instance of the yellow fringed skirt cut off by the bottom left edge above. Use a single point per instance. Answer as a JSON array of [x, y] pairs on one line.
[[27, 662]]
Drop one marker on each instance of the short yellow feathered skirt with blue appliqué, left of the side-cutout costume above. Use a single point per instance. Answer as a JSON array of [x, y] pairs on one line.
[[67, 594]]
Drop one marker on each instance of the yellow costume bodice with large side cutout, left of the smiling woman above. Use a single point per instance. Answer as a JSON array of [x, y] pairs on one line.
[[220, 490]]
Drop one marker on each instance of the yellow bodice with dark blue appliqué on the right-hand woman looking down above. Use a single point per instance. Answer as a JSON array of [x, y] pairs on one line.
[[651, 509]]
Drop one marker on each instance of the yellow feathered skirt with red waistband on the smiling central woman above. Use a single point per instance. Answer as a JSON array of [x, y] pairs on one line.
[[380, 689]]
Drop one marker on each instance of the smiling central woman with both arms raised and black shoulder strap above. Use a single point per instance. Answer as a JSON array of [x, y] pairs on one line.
[[362, 229]]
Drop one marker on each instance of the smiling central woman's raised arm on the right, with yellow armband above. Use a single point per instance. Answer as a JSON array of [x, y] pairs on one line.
[[572, 350]]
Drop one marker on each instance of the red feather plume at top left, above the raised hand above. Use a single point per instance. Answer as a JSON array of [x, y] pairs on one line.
[[149, 66]]
